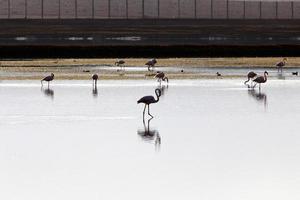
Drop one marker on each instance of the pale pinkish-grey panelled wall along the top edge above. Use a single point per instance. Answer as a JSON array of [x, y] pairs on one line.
[[164, 9]]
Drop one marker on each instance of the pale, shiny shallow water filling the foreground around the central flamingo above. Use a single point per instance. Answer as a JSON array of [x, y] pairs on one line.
[[209, 139]]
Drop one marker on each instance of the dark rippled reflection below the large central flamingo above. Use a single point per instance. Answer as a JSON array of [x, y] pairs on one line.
[[150, 135]]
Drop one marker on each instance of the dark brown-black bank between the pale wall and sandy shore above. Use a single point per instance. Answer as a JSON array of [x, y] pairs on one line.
[[148, 37]]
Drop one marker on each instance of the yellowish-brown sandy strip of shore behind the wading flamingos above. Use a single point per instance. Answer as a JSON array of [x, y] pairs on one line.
[[83, 68]]
